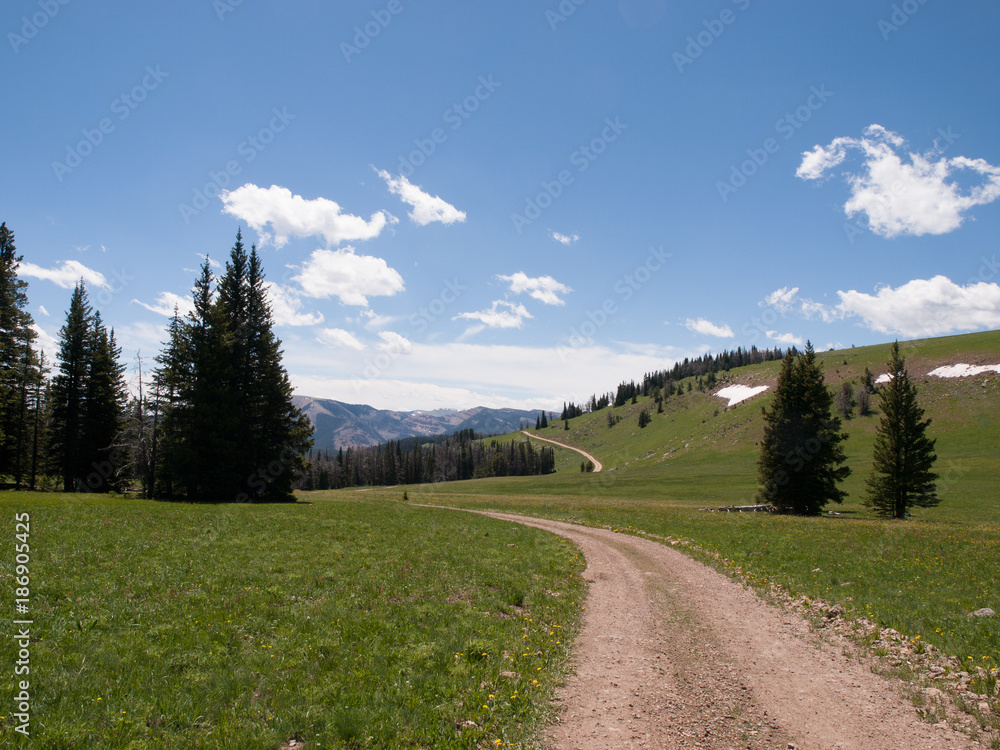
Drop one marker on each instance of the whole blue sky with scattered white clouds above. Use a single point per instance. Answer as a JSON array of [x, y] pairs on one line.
[[510, 204]]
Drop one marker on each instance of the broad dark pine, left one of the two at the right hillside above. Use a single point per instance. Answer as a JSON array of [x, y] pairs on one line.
[[801, 458]]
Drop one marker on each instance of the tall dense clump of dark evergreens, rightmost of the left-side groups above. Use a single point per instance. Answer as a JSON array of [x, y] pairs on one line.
[[228, 429]]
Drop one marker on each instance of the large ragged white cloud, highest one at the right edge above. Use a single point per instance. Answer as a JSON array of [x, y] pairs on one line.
[[911, 194]]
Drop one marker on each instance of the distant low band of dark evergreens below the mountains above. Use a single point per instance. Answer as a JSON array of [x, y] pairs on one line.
[[463, 455]]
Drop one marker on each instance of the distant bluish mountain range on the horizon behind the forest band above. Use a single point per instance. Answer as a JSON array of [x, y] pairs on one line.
[[341, 425]]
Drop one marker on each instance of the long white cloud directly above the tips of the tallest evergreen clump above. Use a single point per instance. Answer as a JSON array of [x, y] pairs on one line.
[[294, 216]]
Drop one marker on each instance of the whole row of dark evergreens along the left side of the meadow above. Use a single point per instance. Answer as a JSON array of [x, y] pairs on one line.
[[219, 424]]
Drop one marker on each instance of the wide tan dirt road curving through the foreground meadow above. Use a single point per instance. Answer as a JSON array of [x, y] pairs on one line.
[[675, 655]]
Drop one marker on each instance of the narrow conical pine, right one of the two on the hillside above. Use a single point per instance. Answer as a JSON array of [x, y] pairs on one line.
[[903, 456]]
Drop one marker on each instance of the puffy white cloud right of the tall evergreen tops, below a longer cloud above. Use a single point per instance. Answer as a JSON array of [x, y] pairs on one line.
[[352, 278]]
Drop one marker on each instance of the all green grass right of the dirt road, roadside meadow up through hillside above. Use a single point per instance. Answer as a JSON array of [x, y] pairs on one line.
[[921, 576]]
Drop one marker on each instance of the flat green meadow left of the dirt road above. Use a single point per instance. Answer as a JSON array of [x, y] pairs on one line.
[[342, 623]]
